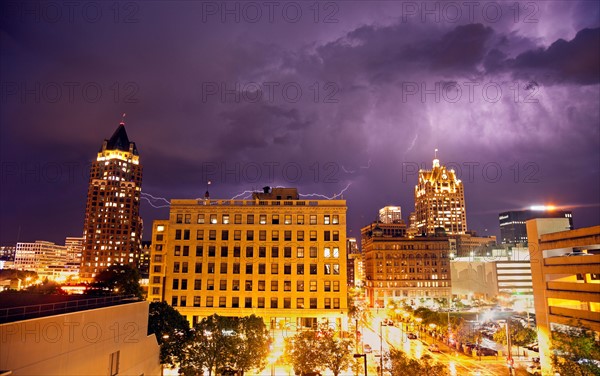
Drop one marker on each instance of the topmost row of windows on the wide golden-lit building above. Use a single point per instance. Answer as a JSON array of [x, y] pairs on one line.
[[262, 219]]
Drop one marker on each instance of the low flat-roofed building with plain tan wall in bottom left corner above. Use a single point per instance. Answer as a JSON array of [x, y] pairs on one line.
[[75, 336]]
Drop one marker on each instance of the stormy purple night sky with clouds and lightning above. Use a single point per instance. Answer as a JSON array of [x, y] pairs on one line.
[[351, 95]]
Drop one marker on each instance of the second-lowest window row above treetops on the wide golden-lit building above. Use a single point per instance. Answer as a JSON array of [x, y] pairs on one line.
[[328, 286]]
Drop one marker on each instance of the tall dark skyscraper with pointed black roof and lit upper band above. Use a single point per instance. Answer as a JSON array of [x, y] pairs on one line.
[[113, 226]]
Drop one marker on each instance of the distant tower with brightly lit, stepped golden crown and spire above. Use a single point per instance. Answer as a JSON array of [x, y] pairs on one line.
[[440, 201]]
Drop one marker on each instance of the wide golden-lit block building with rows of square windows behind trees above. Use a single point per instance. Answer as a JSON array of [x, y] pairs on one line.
[[275, 256]]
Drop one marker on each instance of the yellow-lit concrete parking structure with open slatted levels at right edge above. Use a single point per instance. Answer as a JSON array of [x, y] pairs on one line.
[[565, 269]]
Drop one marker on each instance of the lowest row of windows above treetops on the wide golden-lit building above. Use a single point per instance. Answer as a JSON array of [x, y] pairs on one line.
[[181, 301]]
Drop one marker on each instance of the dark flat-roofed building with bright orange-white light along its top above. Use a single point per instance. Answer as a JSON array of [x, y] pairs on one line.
[[513, 229]]
